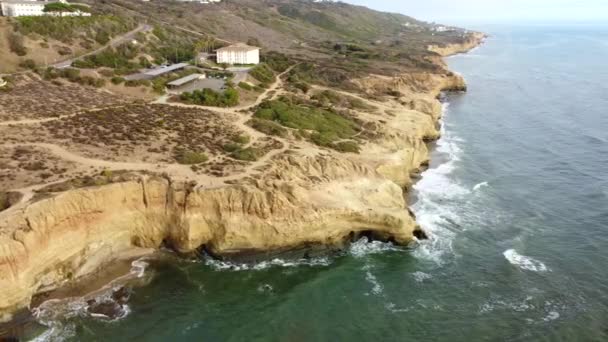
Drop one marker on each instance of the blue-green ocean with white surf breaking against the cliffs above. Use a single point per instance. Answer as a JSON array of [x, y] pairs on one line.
[[515, 202]]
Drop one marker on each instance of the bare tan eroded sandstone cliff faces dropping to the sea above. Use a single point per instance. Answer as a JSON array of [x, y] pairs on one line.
[[301, 203]]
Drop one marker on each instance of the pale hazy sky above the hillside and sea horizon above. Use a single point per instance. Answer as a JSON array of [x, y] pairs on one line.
[[488, 11]]
